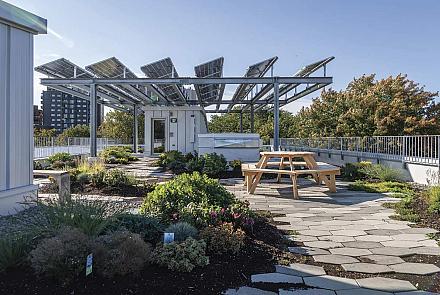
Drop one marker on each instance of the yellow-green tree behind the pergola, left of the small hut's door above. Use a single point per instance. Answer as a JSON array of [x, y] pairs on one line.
[[119, 125]]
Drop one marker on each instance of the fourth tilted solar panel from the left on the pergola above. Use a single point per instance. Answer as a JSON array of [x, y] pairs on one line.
[[210, 93]]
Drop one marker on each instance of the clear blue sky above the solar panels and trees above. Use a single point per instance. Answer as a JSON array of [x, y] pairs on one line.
[[386, 37]]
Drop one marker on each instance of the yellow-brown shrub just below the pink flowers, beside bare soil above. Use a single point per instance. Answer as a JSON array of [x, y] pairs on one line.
[[223, 238]]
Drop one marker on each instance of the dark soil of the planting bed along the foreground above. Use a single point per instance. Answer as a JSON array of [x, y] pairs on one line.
[[264, 247]]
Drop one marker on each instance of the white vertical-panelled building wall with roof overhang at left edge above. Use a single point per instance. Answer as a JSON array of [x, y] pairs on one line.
[[17, 28]]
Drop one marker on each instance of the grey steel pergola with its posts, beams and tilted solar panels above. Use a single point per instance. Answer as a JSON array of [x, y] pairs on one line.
[[111, 83]]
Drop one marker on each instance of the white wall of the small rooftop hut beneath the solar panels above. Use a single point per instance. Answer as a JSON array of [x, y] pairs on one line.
[[182, 135]]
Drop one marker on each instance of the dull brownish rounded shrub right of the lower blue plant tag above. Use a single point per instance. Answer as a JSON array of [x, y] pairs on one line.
[[120, 253]]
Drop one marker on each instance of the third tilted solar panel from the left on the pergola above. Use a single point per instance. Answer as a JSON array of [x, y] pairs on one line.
[[164, 68]]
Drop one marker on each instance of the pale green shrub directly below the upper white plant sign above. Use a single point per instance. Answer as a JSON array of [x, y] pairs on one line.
[[183, 257]]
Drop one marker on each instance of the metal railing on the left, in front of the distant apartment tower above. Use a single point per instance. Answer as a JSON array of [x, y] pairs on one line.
[[44, 147]]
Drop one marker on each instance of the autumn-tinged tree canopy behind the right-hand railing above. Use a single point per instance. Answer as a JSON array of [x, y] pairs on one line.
[[391, 106]]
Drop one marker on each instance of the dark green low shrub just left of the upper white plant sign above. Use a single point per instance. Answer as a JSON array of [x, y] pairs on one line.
[[148, 227]]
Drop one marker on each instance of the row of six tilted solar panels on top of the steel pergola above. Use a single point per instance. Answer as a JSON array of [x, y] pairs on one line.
[[123, 96]]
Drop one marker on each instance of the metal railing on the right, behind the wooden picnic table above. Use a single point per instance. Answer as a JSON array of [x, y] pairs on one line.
[[422, 149]]
